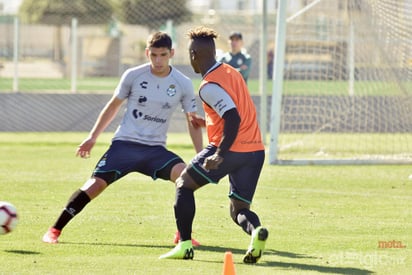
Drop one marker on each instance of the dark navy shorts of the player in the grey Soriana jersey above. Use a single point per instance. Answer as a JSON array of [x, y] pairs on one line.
[[124, 157]]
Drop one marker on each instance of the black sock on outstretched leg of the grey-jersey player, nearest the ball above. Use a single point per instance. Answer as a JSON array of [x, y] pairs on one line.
[[76, 203]]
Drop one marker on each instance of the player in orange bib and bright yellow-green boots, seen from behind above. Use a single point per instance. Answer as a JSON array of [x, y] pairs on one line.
[[235, 149]]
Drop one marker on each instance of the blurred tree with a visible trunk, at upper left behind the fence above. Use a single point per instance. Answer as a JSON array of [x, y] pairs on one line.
[[61, 12]]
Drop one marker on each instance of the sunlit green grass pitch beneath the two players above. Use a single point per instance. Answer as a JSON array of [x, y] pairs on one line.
[[322, 219]]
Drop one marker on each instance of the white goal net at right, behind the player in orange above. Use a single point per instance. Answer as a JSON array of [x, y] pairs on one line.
[[347, 84]]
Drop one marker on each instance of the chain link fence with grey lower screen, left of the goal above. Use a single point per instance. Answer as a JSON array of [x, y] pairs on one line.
[[37, 54]]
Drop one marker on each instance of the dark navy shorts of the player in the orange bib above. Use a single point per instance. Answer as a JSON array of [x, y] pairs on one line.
[[243, 169]]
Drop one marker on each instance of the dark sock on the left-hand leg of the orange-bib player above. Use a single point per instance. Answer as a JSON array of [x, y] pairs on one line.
[[185, 209]]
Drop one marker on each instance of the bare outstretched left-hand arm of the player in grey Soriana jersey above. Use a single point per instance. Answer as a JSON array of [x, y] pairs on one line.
[[106, 116]]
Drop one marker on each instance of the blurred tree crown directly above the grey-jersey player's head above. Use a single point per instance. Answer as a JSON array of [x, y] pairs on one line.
[[154, 13]]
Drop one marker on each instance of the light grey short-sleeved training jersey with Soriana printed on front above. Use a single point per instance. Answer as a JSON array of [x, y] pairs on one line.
[[151, 101]]
